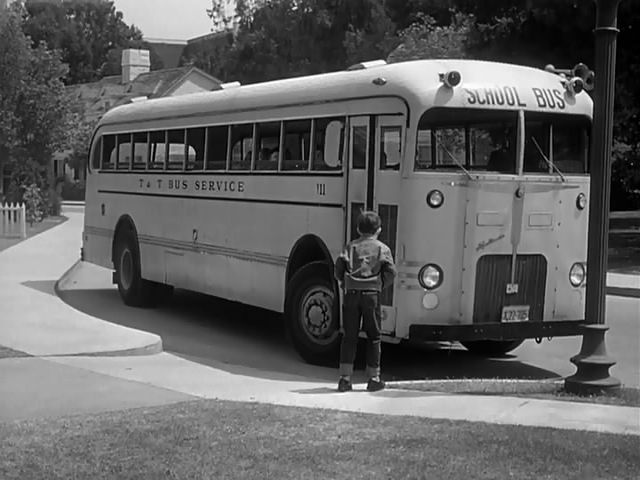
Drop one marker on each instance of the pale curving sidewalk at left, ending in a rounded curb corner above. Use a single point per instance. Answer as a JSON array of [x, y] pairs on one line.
[[32, 317]]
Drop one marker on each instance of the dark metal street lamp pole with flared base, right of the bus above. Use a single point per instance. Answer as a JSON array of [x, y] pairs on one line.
[[593, 362]]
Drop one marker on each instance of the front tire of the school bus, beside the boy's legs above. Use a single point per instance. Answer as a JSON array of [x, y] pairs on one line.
[[312, 314]]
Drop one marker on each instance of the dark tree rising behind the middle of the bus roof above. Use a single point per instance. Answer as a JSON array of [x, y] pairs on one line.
[[286, 38]]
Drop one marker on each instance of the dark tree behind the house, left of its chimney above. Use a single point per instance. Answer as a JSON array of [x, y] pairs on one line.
[[91, 35]]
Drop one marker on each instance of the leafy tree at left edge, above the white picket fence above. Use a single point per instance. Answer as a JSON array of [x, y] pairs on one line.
[[33, 106]]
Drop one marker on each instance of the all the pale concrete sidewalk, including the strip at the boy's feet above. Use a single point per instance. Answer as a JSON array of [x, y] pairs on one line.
[[56, 360]]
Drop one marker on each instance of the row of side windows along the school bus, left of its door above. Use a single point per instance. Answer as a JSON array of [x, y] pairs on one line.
[[290, 145]]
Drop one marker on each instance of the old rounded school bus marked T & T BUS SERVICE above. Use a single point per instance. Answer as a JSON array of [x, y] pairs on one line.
[[478, 170]]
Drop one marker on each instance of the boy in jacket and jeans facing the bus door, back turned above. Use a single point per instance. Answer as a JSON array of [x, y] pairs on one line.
[[363, 270]]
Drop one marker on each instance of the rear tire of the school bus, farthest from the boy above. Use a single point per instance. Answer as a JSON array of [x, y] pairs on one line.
[[134, 290]]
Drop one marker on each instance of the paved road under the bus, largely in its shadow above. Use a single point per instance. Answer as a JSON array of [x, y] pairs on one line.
[[213, 332]]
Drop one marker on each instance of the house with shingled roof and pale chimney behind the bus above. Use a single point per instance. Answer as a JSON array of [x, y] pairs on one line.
[[136, 81]]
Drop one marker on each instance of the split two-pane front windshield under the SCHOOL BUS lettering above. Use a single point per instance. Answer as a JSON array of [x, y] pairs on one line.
[[486, 140]]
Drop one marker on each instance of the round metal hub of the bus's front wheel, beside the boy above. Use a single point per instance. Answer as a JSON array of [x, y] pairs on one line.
[[316, 315]]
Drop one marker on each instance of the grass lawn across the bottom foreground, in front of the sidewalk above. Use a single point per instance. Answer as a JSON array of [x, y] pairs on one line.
[[218, 440]]
